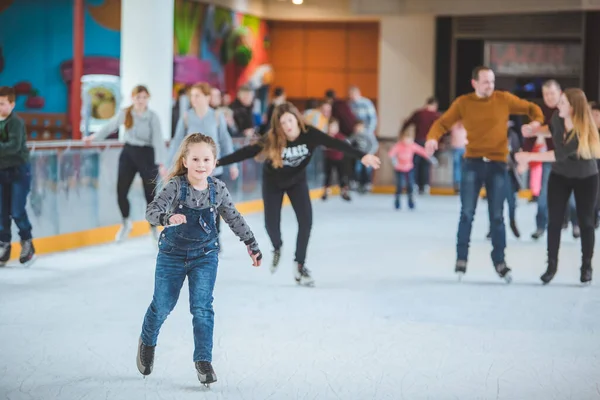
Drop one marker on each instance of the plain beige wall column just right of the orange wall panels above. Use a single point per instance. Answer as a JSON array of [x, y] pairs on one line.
[[406, 68]]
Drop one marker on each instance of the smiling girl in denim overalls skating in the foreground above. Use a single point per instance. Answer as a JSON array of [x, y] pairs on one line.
[[188, 247]]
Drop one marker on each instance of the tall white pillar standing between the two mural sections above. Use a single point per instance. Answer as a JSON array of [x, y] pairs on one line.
[[147, 54]]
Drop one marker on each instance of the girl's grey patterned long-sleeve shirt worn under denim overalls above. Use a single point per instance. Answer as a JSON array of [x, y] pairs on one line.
[[161, 208]]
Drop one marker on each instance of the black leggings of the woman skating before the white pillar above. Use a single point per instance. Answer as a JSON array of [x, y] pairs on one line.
[[133, 160]]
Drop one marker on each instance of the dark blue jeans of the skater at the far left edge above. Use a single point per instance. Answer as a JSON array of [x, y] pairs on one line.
[[15, 184]]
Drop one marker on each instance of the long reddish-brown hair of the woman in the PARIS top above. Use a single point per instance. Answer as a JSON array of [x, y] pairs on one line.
[[276, 140]]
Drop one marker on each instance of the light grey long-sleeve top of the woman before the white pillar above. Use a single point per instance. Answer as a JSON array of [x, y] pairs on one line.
[[144, 132]]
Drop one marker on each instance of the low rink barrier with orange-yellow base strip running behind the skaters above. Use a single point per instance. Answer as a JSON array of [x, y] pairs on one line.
[[73, 204]]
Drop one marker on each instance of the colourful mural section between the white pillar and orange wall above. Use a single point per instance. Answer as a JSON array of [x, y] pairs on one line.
[[219, 46]]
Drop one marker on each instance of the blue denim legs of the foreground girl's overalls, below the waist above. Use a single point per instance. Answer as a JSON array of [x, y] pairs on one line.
[[173, 265]]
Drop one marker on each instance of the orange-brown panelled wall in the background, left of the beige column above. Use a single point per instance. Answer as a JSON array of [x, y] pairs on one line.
[[311, 57]]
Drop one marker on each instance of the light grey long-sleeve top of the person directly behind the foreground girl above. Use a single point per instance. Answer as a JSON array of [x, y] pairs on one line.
[[213, 124]]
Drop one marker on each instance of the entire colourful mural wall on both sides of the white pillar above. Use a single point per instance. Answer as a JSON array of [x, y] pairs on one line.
[[211, 44]]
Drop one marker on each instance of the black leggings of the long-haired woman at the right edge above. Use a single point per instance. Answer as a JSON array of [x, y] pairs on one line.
[[559, 191]]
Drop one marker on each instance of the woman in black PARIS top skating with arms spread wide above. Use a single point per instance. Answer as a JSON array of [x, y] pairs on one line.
[[287, 149]]
